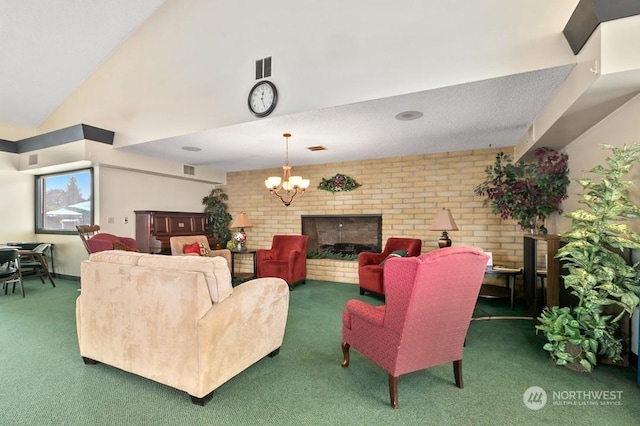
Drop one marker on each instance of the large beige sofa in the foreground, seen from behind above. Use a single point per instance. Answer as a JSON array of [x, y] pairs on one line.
[[176, 319]]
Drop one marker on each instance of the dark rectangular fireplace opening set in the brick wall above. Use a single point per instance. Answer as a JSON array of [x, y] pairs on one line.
[[343, 234]]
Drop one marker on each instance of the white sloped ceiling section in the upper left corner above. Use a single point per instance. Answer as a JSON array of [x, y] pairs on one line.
[[49, 47]]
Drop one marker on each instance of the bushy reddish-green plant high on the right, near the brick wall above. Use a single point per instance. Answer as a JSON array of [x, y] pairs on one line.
[[526, 191]]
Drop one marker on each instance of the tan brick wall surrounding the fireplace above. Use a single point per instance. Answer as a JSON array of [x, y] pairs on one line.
[[407, 191]]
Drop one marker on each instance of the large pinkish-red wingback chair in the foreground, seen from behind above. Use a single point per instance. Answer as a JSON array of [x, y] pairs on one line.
[[429, 303]]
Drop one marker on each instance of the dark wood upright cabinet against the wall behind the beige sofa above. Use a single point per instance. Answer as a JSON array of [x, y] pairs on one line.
[[154, 229]]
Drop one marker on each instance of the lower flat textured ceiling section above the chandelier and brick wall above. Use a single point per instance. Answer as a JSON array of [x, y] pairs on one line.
[[489, 113]]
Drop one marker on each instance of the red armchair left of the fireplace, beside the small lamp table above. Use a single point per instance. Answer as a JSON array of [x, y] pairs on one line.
[[287, 259]]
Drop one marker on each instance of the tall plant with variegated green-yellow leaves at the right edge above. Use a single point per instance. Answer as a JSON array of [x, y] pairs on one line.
[[598, 275]]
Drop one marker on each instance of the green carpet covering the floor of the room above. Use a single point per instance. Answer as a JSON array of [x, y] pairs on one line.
[[44, 381]]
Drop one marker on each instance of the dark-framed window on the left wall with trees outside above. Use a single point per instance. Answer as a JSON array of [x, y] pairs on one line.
[[64, 200]]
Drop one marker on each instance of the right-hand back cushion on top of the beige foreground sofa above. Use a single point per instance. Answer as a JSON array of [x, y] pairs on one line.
[[215, 270]]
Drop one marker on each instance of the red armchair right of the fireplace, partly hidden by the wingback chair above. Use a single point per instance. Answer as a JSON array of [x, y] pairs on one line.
[[370, 266]]
